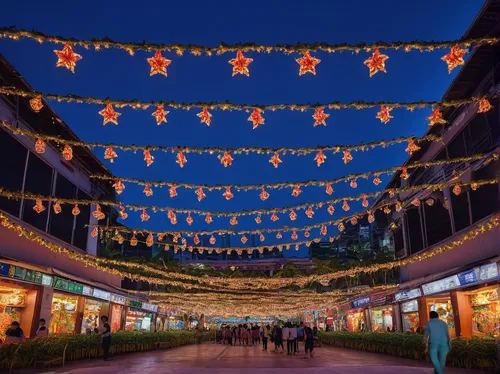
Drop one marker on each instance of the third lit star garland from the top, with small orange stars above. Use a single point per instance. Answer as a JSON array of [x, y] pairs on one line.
[[223, 153]]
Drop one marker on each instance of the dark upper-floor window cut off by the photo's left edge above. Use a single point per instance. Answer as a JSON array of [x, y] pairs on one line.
[[13, 155]]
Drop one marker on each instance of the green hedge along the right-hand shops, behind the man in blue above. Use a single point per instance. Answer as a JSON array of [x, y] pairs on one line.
[[472, 353]]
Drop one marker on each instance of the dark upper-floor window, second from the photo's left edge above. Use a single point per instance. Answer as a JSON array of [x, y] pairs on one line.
[[38, 181]]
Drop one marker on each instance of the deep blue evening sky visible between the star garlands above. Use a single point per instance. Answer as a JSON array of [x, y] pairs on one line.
[[274, 79]]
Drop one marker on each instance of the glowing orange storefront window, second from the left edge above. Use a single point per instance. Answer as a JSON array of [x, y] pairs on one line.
[[64, 311]]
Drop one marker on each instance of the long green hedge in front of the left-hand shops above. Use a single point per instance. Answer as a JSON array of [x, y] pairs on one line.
[[88, 346]]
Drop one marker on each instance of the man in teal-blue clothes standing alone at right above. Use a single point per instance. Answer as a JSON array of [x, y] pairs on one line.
[[437, 341]]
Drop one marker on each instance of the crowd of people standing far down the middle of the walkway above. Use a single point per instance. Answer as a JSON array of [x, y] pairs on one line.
[[289, 334]]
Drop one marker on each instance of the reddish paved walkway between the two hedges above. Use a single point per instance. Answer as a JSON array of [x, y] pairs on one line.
[[219, 359]]
